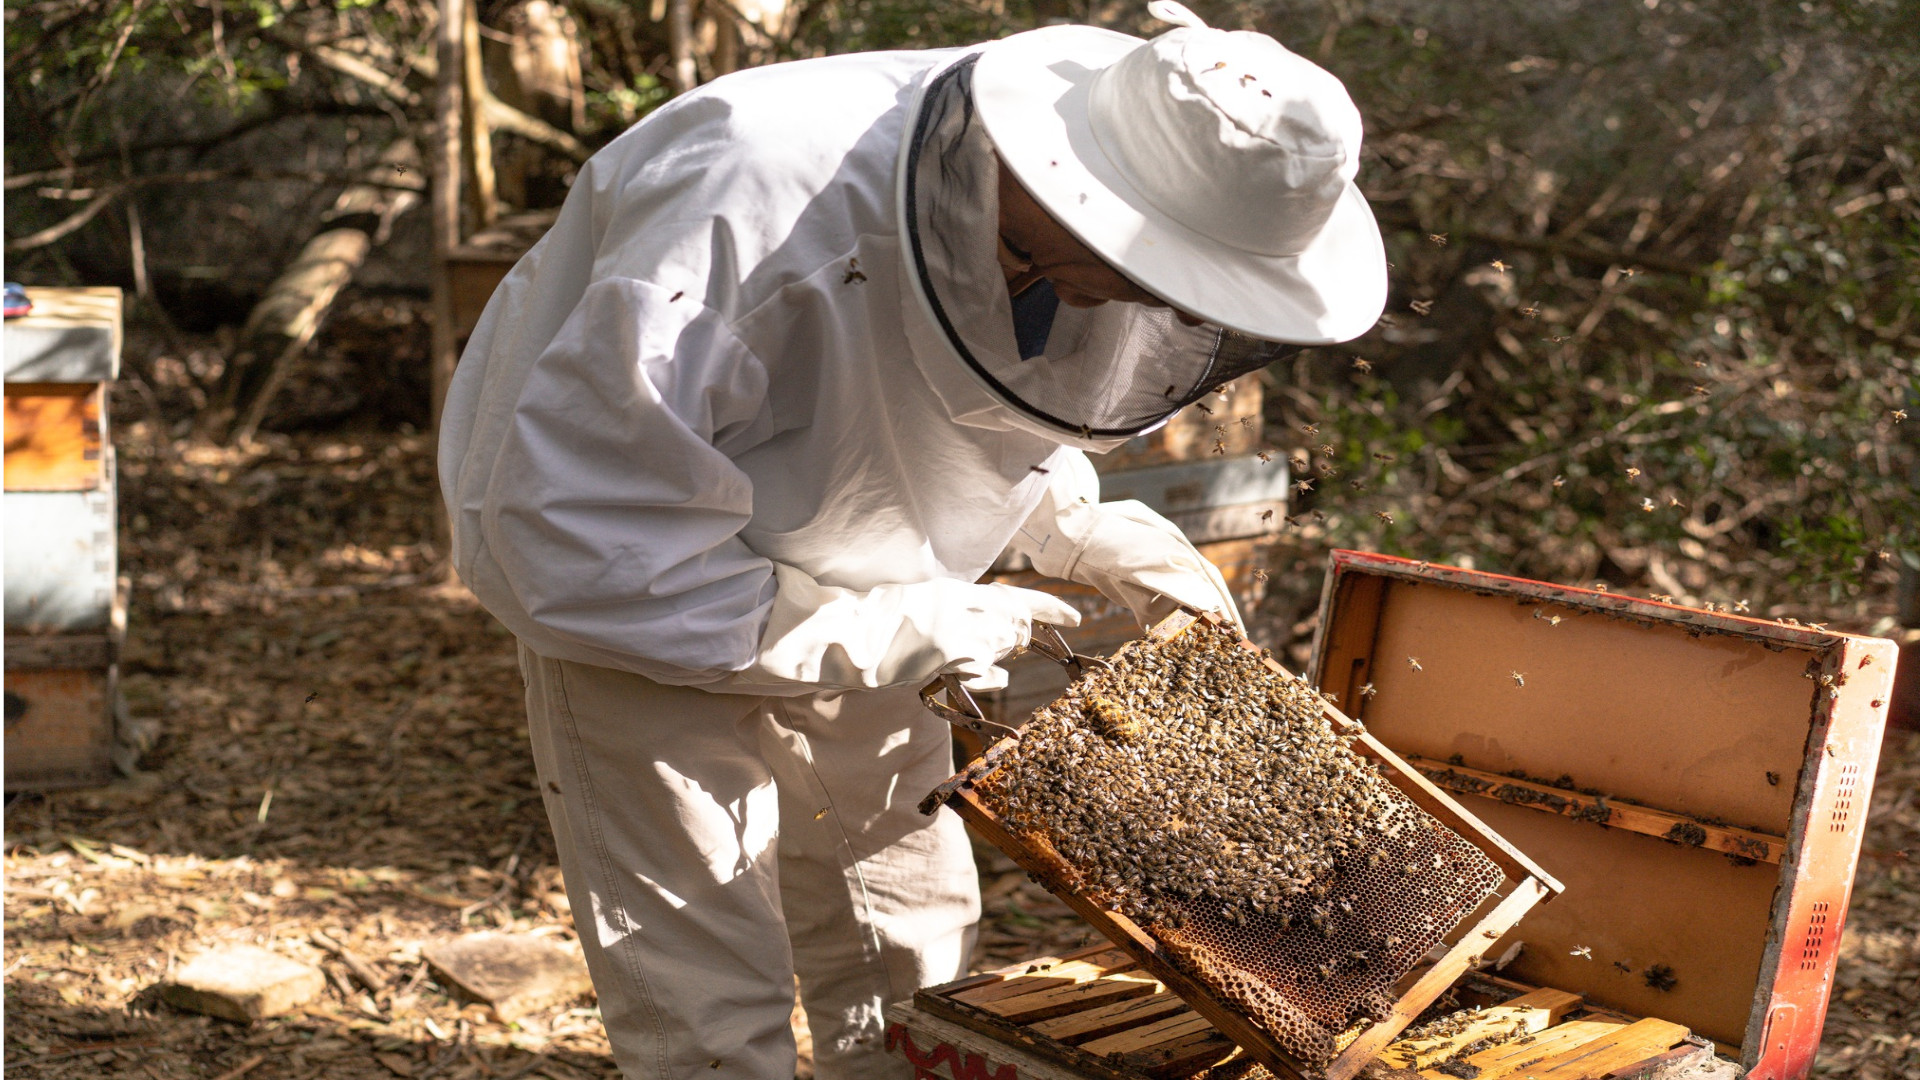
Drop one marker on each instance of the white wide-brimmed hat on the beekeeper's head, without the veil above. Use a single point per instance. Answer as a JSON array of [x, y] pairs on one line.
[[1211, 168]]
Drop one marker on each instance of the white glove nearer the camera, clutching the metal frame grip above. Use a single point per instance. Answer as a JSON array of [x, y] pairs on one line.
[[898, 635]]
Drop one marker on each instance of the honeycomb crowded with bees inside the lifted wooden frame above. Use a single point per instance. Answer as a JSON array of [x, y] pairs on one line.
[[1209, 797]]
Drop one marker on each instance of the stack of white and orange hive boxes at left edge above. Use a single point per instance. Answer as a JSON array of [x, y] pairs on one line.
[[64, 612]]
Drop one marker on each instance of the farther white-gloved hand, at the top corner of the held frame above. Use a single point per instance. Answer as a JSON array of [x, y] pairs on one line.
[[1124, 549]]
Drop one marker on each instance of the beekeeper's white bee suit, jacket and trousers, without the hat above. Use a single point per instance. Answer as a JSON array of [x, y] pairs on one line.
[[725, 479]]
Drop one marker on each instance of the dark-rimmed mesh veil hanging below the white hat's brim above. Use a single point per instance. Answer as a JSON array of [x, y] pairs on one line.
[[1116, 370]]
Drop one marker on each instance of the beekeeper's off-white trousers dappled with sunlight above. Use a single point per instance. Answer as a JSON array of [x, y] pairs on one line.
[[715, 847]]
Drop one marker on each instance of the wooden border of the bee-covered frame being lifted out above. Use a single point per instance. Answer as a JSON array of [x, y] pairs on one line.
[[1531, 885]]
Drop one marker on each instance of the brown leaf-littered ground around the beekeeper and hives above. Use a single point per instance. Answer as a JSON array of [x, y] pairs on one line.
[[341, 749]]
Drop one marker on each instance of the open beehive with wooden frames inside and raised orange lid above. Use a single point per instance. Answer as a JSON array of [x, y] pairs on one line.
[[1698, 779]]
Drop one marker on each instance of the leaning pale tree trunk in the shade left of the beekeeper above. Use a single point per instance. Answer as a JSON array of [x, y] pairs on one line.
[[285, 320]]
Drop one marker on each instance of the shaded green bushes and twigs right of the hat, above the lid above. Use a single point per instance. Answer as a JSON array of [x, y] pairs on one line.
[[1691, 374]]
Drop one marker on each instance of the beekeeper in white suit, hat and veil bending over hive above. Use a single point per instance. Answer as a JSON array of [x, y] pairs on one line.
[[804, 355]]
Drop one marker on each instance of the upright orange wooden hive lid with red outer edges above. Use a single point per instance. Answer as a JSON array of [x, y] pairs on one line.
[[1696, 779]]
